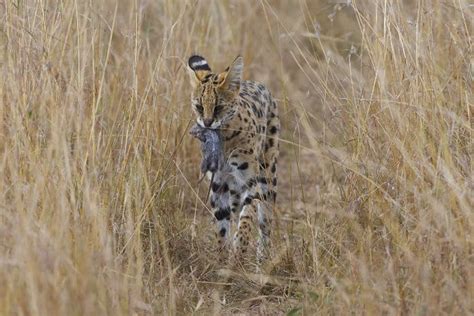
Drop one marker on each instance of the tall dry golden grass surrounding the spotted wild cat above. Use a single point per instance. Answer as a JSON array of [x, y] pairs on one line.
[[100, 211]]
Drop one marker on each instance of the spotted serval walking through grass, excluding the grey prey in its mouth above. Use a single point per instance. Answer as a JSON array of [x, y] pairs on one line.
[[247, 117]]
